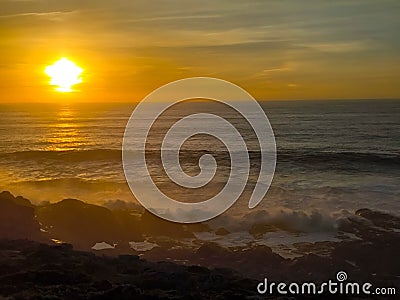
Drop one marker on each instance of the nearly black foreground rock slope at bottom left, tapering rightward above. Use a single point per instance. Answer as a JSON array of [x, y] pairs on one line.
[[50, 272]]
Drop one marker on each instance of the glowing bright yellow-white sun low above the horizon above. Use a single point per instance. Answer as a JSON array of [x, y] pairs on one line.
[[64, 74]]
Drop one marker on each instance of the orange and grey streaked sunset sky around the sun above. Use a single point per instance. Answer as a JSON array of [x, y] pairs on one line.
[[276, 50]]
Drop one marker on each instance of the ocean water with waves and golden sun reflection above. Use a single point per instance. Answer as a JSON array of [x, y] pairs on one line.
[[333, 157]]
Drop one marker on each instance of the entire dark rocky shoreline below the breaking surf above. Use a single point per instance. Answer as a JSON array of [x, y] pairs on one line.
[[33, 267]]
